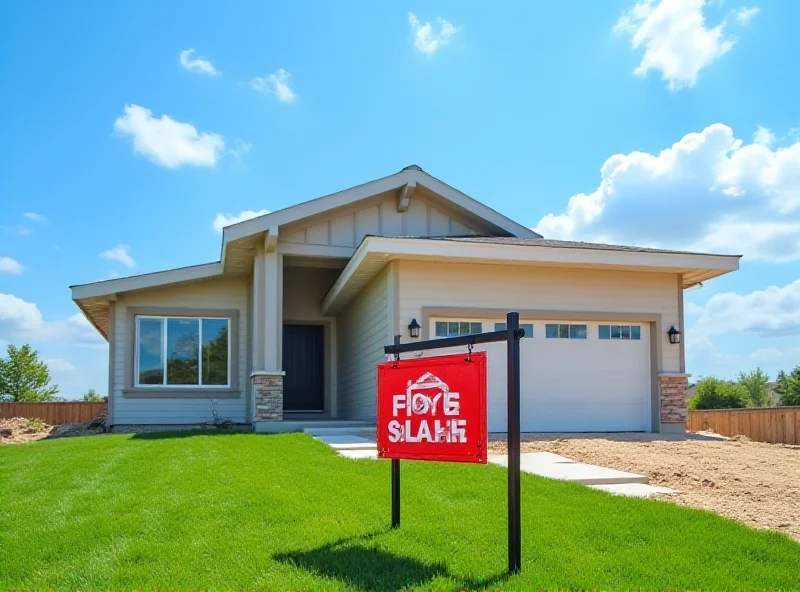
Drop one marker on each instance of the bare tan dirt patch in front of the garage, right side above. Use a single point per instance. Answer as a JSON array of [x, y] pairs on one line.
[[754, 482]]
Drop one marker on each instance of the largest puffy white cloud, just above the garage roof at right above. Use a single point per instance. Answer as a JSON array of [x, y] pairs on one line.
[[708, 192]]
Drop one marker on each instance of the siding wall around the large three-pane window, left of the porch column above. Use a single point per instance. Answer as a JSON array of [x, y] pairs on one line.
[[222, 294]]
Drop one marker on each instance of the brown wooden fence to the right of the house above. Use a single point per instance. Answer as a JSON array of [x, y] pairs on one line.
[[769, 424]]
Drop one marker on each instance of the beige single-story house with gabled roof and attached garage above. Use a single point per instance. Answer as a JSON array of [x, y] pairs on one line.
[[289, 324]]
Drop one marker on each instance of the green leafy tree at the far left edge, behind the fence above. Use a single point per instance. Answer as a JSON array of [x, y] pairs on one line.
[[24, 378]]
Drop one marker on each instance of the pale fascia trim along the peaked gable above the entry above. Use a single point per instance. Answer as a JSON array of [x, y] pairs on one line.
[[410, 176]]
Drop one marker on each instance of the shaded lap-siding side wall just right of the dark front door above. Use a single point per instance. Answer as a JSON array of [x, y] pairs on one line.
[[363, 330]]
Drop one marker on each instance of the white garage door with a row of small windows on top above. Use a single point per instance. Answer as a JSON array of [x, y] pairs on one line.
[[575, 376]]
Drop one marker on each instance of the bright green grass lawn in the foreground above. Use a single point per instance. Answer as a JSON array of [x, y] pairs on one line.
[[284, 512]]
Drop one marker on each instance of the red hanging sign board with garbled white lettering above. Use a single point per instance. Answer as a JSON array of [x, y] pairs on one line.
[[433, 408]]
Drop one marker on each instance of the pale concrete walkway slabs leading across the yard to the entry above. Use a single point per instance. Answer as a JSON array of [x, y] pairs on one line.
[[543, 464]]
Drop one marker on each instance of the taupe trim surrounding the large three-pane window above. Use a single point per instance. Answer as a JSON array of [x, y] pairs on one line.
[[131, 388]]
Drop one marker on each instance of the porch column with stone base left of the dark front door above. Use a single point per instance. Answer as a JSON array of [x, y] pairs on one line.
[[267, 326]]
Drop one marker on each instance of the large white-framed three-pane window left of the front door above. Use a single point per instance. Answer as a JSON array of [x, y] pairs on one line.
[[182, 352]]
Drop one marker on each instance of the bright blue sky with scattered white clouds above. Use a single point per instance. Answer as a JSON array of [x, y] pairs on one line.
[[132, 132]]
